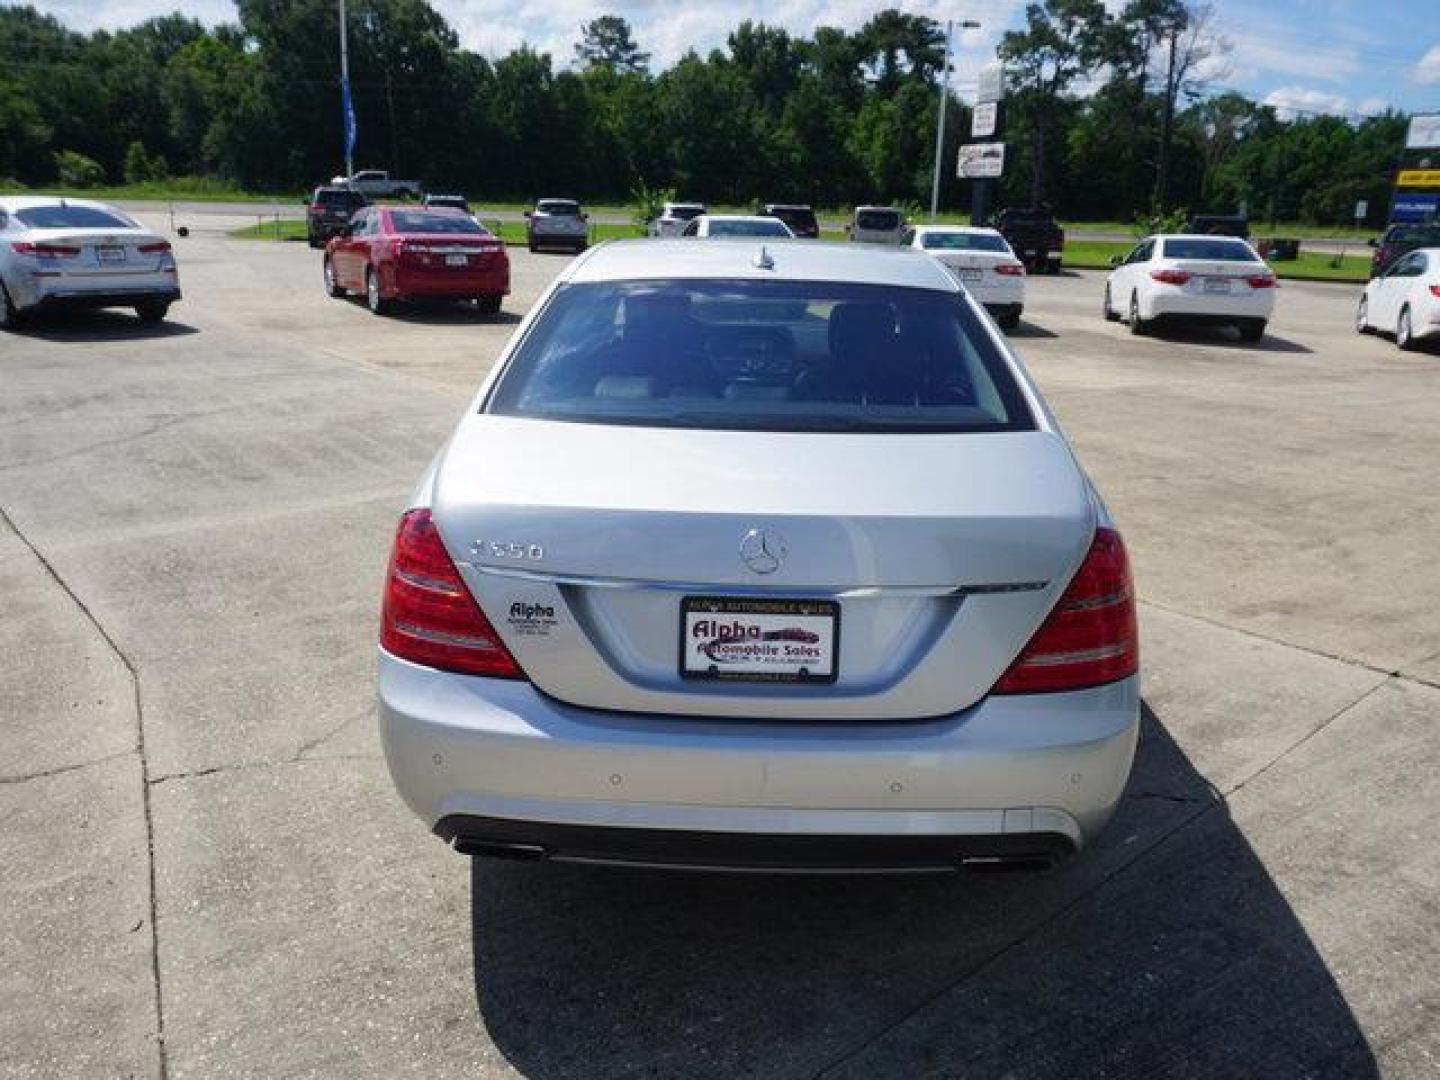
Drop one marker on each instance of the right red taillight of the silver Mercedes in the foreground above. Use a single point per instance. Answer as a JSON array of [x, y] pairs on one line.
[[1091, 637]]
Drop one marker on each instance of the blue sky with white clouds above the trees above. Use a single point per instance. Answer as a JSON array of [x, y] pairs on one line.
[[1349, 57]]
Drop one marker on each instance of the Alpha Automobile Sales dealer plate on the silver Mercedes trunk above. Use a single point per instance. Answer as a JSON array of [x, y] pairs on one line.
[[760, 640]]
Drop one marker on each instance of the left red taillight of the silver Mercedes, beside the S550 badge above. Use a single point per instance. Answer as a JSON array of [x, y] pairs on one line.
[[430, 617]]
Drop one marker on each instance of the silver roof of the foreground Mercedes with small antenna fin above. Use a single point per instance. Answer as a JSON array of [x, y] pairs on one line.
[[790, 261]]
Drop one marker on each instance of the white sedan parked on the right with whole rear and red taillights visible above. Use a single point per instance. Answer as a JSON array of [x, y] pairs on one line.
[[1182, 279]]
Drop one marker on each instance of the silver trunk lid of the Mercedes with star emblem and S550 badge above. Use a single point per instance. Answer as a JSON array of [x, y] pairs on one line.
[[942, 554]]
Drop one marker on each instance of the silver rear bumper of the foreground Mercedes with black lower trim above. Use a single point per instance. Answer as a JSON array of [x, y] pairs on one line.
[[499, 768]]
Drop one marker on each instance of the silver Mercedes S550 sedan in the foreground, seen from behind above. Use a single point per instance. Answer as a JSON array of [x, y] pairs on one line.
[[760, 557]]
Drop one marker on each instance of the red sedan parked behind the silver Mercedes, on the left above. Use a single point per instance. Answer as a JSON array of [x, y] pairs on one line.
[[391, 256]]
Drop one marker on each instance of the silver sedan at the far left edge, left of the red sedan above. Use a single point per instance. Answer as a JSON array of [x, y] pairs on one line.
[[78, 254]]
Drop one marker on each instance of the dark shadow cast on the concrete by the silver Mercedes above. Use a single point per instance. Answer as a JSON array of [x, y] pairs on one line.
[[1167, 950]]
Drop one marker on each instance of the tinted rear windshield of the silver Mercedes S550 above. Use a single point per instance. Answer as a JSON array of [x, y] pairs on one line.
[[764, 356]]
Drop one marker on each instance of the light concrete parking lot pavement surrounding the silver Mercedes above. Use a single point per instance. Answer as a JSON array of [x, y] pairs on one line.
[[210, 876]]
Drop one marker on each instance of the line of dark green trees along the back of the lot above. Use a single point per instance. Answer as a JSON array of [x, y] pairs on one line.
[[1108, 114]]
